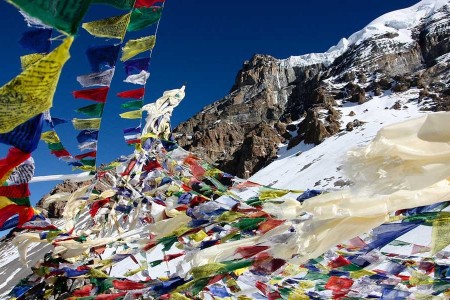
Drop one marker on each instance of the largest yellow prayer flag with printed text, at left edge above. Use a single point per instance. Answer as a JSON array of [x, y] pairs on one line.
[[31, 92]]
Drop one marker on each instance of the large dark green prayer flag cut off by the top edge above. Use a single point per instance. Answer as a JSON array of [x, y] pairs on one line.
[[63, 15]]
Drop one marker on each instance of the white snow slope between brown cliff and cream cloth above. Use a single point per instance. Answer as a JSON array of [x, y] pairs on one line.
[[305, 166]]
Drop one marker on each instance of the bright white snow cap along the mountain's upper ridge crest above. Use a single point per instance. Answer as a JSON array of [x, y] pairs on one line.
[[398, 22]]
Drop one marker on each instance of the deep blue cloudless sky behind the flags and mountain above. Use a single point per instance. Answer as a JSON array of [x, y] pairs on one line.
[[201, 43]]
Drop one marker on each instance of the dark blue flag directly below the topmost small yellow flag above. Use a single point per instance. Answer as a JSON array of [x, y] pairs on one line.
[[102, 57]]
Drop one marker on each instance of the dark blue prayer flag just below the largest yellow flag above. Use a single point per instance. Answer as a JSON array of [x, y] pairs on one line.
[[25, 136]]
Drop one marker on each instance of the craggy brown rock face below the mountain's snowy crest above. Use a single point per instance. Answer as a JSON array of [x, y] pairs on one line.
[[275, 101]]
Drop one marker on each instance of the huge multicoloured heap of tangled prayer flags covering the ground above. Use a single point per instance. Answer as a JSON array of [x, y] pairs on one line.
[[167, 225]]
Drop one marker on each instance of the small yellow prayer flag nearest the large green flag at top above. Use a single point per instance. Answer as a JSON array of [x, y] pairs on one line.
[[114, 27]]
